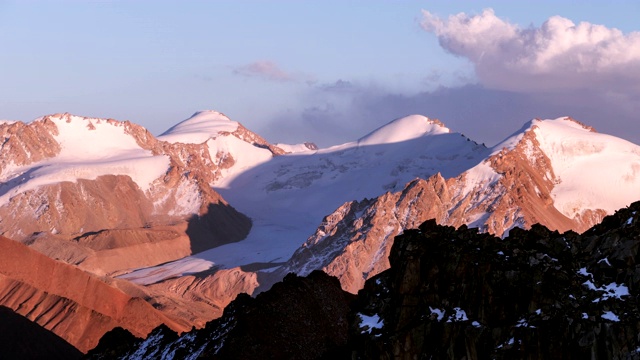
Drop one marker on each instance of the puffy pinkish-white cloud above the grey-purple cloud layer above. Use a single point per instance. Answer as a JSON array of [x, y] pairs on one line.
[[559, 55]]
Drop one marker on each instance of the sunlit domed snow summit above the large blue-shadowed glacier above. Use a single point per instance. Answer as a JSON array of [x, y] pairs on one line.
[[403, 129]]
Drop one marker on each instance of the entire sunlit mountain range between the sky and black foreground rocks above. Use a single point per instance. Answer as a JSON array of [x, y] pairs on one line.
[[180, 224]]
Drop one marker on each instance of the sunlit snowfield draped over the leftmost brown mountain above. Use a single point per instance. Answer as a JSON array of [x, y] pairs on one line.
[[89, 148]]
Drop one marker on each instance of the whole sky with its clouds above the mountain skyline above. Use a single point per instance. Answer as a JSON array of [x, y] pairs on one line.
[[325, 71]]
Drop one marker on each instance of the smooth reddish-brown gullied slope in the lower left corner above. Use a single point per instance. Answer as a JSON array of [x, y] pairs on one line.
[[75, 305]]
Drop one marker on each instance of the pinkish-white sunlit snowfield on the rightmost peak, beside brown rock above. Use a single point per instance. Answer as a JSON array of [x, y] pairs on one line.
[[592, 171]]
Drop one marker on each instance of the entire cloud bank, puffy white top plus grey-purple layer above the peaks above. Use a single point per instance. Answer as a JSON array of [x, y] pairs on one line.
[[586, 71]]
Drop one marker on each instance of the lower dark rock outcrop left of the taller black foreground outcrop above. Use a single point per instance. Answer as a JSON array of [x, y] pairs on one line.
[[299, 318]]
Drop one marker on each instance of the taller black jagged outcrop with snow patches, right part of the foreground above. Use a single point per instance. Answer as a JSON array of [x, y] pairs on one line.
[[536, 294]]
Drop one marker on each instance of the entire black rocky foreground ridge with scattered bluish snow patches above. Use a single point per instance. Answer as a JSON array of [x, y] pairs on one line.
[[449, 294]]
